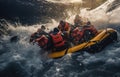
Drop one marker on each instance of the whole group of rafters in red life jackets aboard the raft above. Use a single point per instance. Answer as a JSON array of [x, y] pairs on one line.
[[62, 36]]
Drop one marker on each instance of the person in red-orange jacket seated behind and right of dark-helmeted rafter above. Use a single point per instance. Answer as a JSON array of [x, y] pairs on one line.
[[65, 28]]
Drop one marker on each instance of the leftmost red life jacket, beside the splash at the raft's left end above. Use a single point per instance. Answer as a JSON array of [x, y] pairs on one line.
[[42, 41]]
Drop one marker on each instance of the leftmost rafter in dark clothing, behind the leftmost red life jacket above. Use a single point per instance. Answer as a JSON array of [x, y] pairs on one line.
[[40, 31]]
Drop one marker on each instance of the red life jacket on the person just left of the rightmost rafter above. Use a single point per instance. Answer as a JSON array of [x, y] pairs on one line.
[[77, 34]]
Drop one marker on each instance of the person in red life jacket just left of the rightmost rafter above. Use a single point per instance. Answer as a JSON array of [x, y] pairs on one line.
[[77, 36]]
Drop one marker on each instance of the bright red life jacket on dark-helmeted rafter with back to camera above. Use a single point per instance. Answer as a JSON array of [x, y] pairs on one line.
[[58, 40]]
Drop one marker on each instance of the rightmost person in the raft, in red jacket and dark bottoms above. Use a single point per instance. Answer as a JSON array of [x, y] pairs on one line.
[[89, 31]]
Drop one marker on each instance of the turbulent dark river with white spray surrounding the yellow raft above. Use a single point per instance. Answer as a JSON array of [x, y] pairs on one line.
[[19, 58]]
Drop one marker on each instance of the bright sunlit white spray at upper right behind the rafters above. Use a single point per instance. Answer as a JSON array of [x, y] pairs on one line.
[[99, 16]]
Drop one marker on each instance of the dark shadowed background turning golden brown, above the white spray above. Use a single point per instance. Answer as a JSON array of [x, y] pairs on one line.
[[37, 11]]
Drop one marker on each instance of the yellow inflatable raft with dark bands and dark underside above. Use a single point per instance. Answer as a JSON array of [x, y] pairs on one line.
[[96, 44]]
